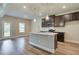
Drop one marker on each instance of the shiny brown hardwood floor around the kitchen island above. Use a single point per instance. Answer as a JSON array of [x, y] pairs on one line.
[[21, 46]]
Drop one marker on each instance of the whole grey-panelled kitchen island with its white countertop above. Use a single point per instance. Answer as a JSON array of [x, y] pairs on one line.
[[46, 41]]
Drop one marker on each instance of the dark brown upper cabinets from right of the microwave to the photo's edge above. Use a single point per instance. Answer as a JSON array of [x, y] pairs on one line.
[[60, 20]]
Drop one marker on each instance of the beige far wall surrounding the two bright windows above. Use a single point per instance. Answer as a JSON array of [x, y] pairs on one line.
[[14, 21]]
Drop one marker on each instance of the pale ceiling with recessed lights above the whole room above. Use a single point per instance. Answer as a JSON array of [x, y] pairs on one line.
[[35, 10]]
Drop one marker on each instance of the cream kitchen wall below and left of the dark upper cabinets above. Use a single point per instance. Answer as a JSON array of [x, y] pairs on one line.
[[71, 30]]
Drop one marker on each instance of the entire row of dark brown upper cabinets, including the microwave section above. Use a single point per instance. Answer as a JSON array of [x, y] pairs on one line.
[[59, 21]]
